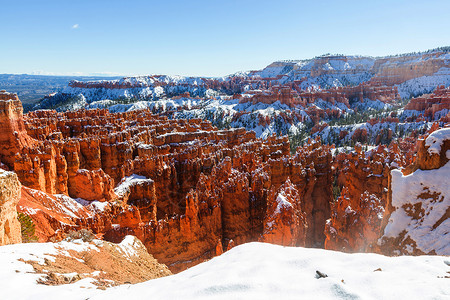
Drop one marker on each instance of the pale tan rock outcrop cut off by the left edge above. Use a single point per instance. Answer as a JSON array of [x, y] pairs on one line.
[[9, 197]]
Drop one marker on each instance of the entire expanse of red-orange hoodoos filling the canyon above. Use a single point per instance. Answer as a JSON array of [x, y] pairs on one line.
[[190, 192]]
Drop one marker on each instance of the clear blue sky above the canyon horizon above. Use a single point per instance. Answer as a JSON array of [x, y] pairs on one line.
[[207, 38]]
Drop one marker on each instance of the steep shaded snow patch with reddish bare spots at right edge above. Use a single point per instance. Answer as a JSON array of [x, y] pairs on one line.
[[430, 190]]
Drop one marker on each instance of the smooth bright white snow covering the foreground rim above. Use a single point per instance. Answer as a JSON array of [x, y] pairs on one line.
[[252, 271]]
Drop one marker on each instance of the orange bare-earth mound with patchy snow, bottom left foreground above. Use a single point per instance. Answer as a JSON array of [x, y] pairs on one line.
[[18, 280]]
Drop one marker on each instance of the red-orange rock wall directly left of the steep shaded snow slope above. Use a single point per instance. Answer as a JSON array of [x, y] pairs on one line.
[[358, 212]]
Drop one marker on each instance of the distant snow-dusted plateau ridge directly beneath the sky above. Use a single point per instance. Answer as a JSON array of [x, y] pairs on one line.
[[413, 74]]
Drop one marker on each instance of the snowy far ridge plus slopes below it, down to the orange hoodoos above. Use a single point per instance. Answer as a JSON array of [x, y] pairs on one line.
[[282, 97]]
